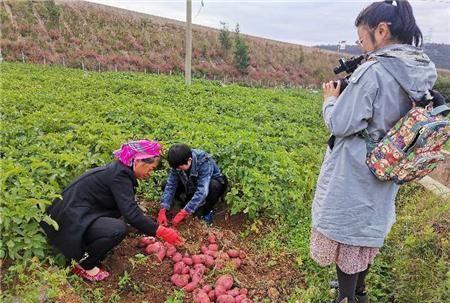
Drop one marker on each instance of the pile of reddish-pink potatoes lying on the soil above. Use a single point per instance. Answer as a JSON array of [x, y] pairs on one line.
[[188, 271]]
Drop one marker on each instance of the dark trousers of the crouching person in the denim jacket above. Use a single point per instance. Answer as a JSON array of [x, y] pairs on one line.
[[217, 189]]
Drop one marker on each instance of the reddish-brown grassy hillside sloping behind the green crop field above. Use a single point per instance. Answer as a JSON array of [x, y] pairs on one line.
[[76, 33]]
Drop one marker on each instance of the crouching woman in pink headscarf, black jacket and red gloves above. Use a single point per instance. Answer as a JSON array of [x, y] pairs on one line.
[[89, 213]]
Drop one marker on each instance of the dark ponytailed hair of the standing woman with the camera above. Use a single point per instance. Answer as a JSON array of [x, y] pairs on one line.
[[400, 18]]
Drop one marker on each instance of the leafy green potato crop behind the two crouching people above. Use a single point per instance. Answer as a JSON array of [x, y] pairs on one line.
[[57, 122]]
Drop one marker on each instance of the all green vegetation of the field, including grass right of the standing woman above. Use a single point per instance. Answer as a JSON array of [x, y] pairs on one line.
[[58, 122]]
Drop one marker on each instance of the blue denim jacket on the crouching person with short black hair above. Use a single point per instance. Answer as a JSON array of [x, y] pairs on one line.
[[203, 169]]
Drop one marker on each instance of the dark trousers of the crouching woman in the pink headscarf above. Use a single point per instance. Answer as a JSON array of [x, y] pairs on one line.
[[102, 236]]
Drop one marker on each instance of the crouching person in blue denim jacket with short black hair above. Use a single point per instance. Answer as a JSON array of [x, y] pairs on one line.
[[196, 180]]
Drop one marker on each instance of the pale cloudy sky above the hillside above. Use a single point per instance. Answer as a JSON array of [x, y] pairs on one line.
[[300, 22]]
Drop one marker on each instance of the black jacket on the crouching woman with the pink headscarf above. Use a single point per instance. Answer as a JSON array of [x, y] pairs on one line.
[[107, 191]]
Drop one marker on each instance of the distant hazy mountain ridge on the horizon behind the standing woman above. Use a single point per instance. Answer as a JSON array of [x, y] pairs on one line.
[[438, 53]]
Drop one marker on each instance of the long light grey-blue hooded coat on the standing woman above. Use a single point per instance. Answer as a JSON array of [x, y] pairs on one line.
[[350, 205]]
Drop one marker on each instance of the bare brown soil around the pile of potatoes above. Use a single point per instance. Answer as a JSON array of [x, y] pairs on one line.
[[266, 276]]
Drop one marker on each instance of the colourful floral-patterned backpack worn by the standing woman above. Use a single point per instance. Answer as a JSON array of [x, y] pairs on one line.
[[412, 148]]
